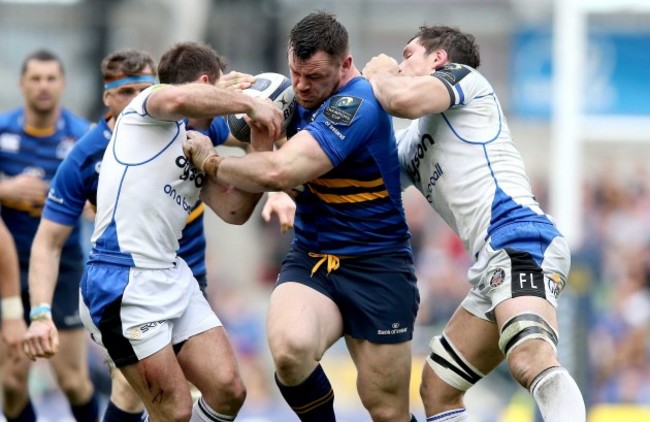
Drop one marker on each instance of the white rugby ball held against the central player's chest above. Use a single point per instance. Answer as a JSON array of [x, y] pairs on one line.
[[271, 85]]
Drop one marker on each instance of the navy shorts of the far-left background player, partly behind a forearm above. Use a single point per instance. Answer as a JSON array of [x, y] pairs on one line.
[[65, 303]]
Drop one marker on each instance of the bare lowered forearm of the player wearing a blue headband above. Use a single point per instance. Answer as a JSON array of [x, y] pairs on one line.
[[44, 260]]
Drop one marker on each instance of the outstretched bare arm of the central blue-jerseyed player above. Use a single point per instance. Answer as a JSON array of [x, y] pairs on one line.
[[298, 161]]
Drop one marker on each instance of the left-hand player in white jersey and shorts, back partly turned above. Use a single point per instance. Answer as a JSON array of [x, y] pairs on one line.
[[140, 301]]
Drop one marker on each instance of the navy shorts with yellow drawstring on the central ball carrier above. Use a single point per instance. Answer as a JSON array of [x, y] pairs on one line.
[[377, 295]]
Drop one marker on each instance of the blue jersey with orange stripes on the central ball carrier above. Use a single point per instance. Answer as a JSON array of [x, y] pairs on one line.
[[356, 208]]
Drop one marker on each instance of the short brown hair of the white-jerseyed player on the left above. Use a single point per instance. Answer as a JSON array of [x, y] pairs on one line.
[[185, 62]]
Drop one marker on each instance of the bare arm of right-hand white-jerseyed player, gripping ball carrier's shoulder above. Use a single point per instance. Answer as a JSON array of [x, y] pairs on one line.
[[410, 97]]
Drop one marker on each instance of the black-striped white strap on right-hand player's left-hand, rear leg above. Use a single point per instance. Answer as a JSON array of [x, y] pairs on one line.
[[450, 365]]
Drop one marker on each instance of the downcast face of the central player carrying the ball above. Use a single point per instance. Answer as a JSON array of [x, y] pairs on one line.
[[315, 79]]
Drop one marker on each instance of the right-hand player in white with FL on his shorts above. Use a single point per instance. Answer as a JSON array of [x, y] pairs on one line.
[[461, 156]]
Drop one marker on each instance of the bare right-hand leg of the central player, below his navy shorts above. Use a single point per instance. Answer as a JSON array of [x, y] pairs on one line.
[[383, 372]]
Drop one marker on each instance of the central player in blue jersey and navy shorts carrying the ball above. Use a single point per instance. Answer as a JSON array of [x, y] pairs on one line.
[[350, 271]]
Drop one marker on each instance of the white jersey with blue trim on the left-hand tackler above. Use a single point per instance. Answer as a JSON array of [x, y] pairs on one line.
[[147, 189]]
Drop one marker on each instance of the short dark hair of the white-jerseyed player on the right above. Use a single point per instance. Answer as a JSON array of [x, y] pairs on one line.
[[461, 47]]
